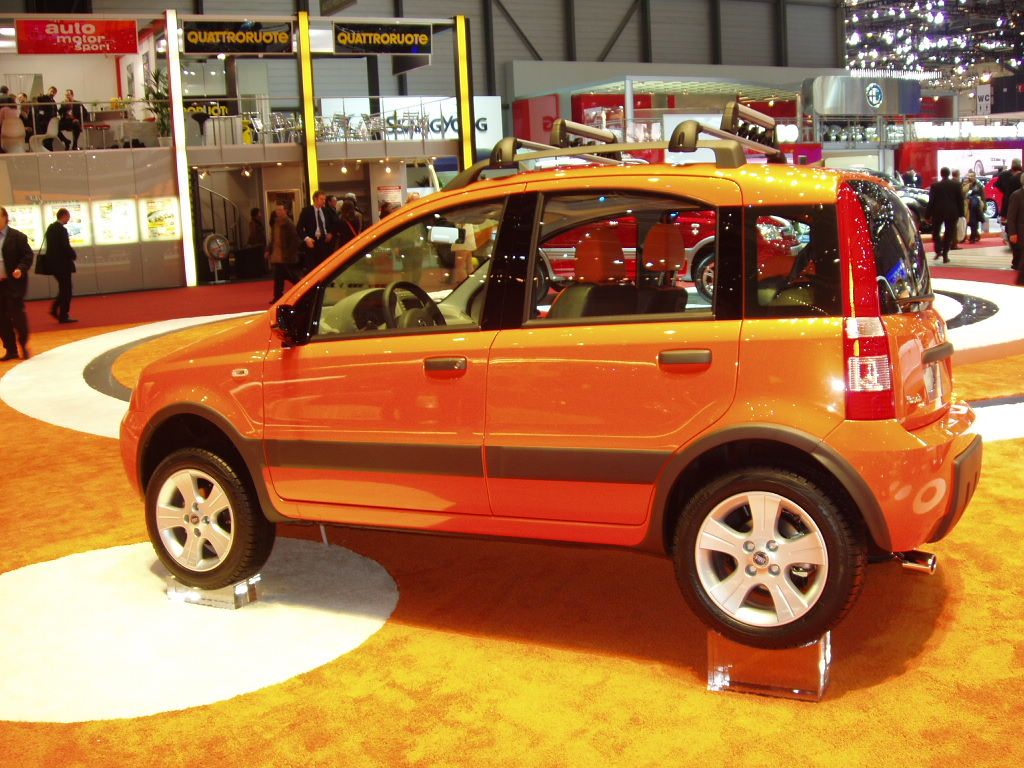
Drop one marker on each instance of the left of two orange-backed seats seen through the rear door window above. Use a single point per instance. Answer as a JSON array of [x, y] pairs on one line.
[[599, 288]]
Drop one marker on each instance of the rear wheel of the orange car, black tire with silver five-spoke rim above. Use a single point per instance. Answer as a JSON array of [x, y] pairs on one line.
[[745, 609]]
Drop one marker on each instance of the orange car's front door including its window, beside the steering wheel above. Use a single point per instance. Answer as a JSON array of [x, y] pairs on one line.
[[383, 409]]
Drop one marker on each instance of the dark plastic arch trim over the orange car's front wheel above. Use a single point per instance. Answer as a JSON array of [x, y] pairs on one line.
[[192, 425]]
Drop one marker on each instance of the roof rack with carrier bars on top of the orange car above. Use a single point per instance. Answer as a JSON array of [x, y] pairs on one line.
[[743, 129]]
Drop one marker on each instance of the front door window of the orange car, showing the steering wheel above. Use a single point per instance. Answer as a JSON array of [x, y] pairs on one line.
[[431, 273]]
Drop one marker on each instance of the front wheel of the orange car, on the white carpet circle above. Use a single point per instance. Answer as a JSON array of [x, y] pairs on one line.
[[226, 538]]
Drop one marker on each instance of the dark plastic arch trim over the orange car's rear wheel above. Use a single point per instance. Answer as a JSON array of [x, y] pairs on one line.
[[760, 445]]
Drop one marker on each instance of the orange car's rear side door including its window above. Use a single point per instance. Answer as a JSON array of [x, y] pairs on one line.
[[584, 411]]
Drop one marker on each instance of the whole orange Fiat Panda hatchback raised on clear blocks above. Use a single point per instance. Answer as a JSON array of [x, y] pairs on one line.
[[435, 375]]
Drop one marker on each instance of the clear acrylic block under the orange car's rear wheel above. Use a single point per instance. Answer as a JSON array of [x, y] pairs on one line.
[[790, 673]]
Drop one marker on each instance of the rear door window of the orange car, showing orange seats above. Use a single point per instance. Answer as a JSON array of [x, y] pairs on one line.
[[623, 255]]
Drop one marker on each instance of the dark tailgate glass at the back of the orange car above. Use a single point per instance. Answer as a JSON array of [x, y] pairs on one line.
[[900, 254]]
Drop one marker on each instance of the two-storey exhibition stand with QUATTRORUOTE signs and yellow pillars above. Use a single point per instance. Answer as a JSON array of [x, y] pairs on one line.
[[180, 142]]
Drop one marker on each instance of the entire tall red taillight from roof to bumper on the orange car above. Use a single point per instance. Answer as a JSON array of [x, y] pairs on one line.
[[866, 346]]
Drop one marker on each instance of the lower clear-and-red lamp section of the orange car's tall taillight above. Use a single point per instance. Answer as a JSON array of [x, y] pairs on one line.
[[869, 370]]
